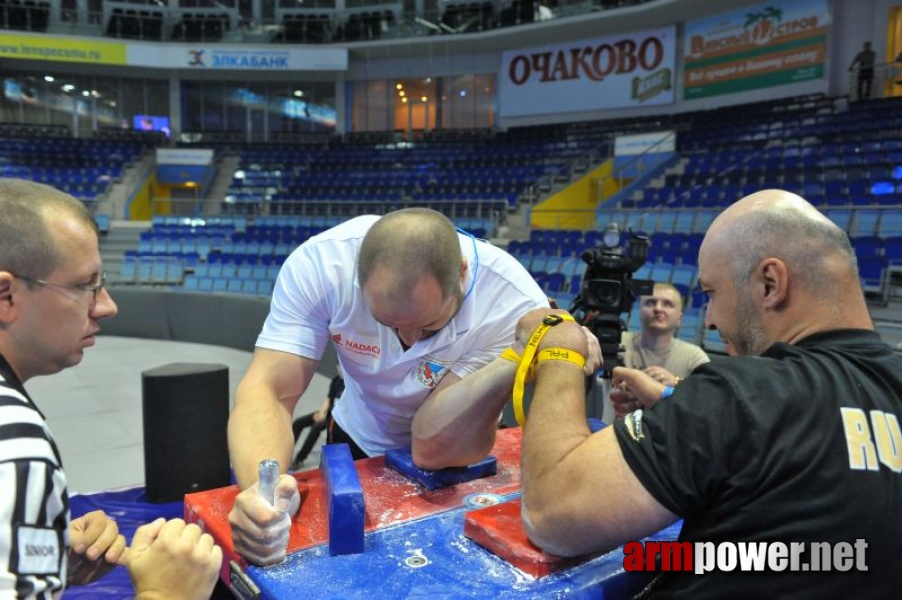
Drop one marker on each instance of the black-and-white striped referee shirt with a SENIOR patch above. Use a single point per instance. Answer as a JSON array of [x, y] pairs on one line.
[[34, 502]]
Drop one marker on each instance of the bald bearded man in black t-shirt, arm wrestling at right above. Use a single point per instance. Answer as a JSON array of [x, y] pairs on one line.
[[792, 445]]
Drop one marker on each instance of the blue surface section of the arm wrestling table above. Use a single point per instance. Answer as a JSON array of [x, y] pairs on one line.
[[431, 558]]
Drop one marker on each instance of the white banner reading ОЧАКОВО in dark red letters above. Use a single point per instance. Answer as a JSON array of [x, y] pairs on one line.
[[633, 69]]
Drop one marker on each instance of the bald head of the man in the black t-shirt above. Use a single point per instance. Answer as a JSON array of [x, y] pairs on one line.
[[776, 270]]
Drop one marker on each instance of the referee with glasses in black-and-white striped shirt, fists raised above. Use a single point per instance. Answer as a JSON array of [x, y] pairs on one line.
[[51, 301]]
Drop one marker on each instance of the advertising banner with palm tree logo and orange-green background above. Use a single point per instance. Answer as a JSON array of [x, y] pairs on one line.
[[762, 46]]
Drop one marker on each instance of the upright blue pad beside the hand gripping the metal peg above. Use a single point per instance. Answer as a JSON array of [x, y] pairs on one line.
[[344, 499]]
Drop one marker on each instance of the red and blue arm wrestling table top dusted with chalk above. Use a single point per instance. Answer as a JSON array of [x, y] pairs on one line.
[[414, 543]]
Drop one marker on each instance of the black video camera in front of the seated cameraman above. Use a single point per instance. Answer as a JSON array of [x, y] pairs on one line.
[[608, 290]]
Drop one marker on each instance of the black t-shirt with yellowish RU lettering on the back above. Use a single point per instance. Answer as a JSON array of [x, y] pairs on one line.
[[801, 444]]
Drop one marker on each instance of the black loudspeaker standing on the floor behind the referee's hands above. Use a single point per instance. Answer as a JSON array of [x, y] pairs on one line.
[[186, 413]]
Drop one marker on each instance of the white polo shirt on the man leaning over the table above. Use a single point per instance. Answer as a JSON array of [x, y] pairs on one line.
[[317, 298]]
